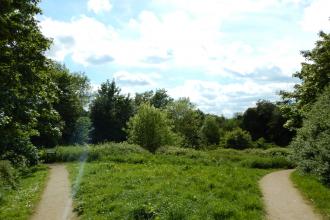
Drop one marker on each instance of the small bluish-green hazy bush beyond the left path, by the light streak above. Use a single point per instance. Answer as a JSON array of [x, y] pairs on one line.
[[81, 130]]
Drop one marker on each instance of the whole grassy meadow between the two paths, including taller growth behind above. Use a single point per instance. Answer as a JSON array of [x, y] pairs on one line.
[[121, 181]]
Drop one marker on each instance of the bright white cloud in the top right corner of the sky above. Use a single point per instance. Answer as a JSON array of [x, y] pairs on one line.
[[316, 16]]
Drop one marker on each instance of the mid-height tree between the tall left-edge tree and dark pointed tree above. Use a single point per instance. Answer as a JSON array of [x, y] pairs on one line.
[[72, 92]]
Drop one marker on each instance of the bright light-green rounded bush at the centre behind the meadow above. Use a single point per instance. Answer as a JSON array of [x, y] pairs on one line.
[[150, 128]]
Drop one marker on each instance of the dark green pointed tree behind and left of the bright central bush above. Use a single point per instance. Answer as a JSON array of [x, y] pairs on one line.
[[109, 113]]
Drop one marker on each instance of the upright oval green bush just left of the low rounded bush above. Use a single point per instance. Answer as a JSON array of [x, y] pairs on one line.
[[210, 132]]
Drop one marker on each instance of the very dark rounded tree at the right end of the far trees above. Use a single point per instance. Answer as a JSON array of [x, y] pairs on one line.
[[266, 121]]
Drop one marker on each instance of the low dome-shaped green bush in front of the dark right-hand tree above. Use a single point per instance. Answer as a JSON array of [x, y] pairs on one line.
[[237, 139]]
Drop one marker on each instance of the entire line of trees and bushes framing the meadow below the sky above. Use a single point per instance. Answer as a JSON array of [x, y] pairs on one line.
[[43, 104]]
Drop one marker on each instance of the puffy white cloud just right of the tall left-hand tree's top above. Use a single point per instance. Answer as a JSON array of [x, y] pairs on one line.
[[89, 39]]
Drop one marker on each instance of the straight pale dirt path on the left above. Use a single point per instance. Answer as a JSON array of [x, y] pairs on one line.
[[56, 203]]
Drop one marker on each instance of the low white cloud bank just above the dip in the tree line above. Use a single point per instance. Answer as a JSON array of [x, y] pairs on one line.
[[226, 99]]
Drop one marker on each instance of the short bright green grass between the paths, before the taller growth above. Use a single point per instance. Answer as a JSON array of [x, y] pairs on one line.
[[110, 190]]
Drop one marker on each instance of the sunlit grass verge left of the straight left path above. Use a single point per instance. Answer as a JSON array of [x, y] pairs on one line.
[[19, 203]]
